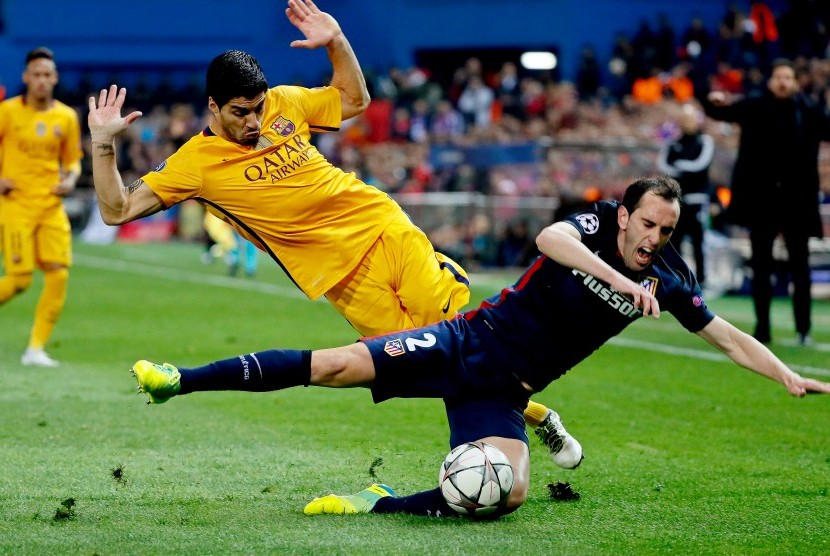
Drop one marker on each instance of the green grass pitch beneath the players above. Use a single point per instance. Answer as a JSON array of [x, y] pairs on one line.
[[685, 453]]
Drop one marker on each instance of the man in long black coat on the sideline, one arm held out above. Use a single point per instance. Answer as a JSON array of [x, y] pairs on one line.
[[775, 185]]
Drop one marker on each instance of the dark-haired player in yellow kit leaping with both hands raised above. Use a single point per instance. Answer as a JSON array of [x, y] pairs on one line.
[[331, 233]]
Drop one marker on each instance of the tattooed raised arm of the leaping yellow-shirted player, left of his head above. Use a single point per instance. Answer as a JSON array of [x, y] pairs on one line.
[[117, 203]]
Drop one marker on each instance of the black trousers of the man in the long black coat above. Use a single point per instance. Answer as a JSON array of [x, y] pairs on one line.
[[796, 240]]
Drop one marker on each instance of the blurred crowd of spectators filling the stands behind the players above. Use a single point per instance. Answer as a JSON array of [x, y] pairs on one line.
[[587, 137]]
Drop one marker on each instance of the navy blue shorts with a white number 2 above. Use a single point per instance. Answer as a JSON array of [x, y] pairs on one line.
[[448, 360]]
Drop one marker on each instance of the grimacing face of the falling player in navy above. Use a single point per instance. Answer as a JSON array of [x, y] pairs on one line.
[[645, 232]]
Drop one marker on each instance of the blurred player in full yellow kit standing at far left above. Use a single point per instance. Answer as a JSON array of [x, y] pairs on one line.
[[41, 162]]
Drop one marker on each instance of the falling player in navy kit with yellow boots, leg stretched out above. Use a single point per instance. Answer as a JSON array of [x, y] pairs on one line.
[[600, 271]]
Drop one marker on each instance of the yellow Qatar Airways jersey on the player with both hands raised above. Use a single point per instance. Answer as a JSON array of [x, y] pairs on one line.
[[314, 219]]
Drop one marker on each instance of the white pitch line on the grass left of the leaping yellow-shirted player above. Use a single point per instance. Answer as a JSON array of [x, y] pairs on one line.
[[167, 273]]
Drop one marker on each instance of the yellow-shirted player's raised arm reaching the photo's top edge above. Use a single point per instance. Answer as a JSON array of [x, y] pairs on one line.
[[321, 29]]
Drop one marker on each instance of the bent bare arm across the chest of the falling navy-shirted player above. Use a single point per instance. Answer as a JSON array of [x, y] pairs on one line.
[[562, 243]]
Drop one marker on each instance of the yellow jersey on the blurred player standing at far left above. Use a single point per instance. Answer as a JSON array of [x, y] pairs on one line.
[[37, 145]]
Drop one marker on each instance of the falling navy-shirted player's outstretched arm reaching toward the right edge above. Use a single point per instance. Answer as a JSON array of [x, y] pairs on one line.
[[748, 352]]
